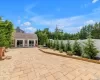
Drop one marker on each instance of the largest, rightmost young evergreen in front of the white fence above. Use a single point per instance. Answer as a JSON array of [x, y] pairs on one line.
[[90, 50]]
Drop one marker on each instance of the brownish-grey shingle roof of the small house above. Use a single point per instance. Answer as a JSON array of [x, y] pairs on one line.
[[25, 36]]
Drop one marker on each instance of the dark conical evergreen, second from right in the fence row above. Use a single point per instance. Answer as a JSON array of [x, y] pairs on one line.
[[76, 48]]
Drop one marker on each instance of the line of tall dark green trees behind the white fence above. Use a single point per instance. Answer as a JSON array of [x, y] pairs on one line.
[[45, 34]]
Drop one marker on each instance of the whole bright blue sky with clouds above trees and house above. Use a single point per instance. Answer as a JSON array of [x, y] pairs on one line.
[[69, 15]]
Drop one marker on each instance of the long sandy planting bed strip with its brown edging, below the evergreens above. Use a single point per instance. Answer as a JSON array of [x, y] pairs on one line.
[[57, 53]]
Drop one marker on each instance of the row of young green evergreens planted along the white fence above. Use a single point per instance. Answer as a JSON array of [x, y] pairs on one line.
[[87, 51]]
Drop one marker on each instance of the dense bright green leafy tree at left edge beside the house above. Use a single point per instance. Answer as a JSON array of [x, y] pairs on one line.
[[6, 30]]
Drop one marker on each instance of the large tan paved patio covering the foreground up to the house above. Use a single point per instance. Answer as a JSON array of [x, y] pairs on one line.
[[32, 64]]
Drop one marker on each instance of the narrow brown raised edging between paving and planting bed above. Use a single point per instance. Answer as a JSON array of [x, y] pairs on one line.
[[78, 58]]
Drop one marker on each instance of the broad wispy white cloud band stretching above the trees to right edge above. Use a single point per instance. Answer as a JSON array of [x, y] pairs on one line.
[[71, 24]]
